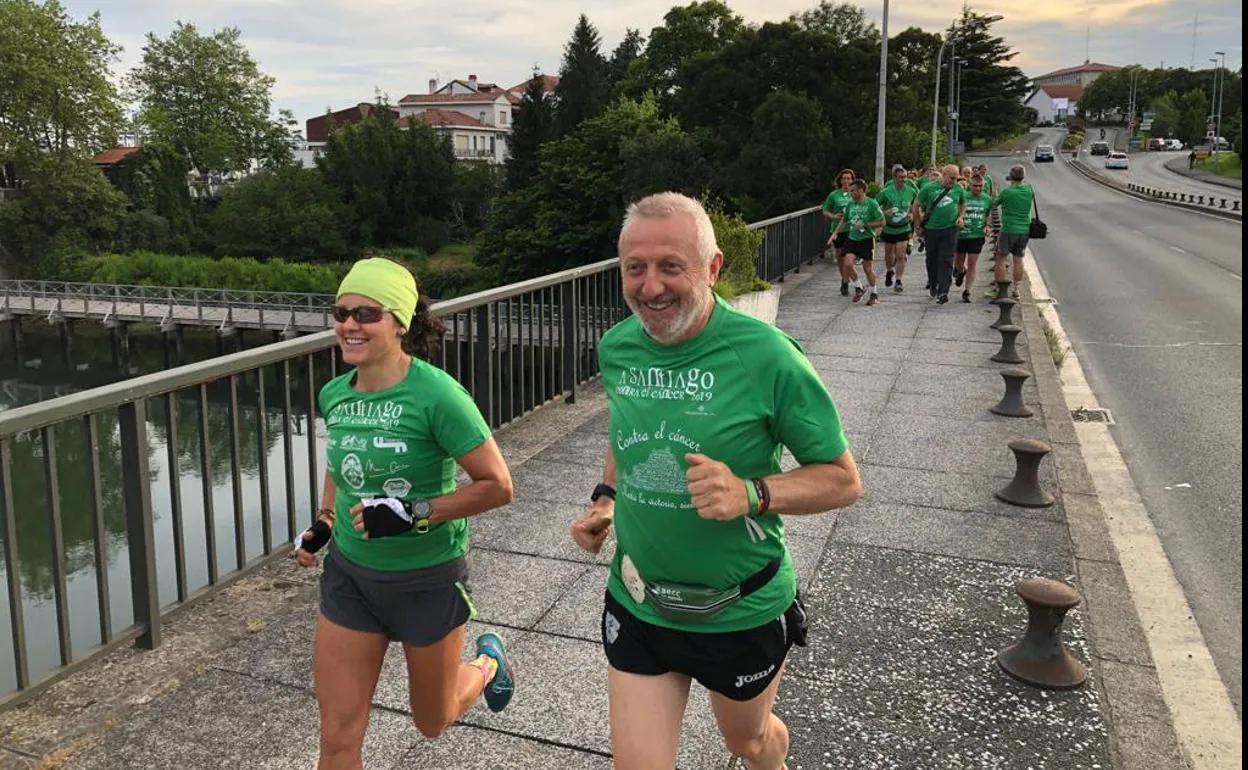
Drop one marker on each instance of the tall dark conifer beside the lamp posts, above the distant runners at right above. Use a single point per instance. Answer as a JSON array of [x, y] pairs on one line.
[[993, 90]]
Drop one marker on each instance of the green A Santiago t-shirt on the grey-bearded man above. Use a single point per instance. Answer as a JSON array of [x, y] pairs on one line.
[[737, 394]]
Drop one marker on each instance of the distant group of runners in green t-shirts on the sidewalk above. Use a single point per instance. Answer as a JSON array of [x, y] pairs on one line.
[[953, 213]]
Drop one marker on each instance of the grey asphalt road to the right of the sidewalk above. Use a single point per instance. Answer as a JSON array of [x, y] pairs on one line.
[[1153, 300]]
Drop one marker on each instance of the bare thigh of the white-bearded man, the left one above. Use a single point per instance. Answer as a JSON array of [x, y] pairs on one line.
[[646, 714]]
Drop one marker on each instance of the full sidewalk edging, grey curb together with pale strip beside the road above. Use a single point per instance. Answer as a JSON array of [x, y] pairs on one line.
[[1168, 708]]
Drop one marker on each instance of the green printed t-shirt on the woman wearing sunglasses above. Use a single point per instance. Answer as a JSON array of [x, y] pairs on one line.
[[400, 442]]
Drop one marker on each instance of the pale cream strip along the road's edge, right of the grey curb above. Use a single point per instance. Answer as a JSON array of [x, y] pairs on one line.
[[1205, 721]]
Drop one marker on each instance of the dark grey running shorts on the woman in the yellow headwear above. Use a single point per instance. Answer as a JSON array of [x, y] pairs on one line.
[[417, 607]]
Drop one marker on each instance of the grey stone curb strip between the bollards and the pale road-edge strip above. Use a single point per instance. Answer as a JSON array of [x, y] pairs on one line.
[[1143, 734]]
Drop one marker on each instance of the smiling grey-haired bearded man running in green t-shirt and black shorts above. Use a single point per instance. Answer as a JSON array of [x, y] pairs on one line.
[[702, 586]]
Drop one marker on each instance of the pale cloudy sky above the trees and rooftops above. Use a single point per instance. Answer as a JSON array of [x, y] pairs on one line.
[[335, 53]]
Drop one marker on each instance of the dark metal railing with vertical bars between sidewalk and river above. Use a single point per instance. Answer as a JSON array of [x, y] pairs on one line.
[[78, 460]]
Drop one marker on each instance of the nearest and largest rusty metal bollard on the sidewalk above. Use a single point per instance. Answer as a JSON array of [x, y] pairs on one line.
[[1040, 658]]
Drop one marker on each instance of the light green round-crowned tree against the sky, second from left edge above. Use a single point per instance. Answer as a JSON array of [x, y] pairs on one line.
[[205, 97]]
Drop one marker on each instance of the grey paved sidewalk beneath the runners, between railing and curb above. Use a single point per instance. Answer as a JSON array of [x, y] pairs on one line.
[[910, 595]]
